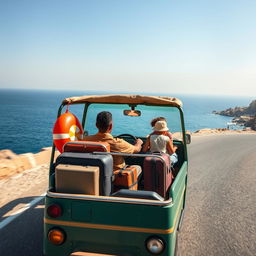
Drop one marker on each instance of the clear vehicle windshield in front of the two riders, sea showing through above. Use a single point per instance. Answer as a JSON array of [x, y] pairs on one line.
[[135, 125]]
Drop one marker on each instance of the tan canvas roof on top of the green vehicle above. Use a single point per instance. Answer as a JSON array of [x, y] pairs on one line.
[[125, 99]]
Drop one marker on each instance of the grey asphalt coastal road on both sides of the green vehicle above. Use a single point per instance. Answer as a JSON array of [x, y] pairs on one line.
[[220, 216]]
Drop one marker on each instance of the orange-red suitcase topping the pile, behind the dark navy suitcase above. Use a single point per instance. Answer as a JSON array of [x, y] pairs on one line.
[[86, 146]]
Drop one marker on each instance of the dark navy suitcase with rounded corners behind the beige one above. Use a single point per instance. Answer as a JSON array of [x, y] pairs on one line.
[[105, 163]]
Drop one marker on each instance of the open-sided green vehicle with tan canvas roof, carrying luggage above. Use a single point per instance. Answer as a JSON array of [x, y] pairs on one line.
[[87, 224]]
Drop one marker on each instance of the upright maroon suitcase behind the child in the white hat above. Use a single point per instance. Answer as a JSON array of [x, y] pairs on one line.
[[157, 173]]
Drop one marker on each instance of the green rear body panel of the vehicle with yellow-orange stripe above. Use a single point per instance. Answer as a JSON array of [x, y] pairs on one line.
[[108, 227]]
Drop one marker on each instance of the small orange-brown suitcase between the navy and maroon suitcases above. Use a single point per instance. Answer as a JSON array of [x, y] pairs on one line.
[[126, 178]]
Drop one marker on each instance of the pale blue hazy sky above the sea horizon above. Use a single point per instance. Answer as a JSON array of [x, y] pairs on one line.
[[201, 47]]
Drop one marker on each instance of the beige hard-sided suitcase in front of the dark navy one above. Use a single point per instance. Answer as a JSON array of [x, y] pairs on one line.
[[76, 179]]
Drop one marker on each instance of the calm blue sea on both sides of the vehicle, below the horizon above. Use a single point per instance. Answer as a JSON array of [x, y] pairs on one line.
[[27, 117]]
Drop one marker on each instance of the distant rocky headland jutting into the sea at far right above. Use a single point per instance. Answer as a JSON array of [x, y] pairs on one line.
[[242, 115]]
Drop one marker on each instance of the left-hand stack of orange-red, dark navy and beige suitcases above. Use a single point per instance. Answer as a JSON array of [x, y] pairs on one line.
[[84, 173]]
